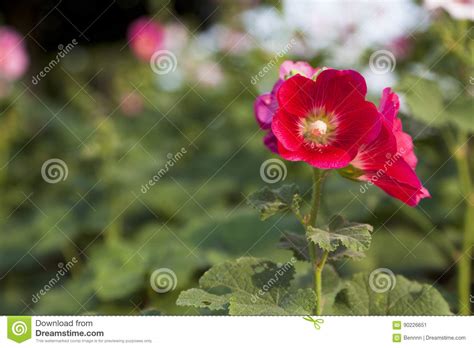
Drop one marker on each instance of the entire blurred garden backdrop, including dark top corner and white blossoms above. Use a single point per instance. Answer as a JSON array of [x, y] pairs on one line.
[[115, 123]]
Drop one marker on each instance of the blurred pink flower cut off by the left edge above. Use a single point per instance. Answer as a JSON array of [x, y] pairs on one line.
[[14, 59]]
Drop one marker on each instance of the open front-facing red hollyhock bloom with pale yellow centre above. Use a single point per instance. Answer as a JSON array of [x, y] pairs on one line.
[[324, 122]]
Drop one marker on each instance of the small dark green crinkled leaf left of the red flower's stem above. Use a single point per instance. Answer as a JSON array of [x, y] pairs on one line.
[[270, 202]]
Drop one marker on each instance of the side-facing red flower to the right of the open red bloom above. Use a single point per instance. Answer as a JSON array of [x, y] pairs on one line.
[[389, 161]]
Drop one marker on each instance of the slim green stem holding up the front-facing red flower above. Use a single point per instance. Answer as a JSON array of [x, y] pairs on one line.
[[318, 177]]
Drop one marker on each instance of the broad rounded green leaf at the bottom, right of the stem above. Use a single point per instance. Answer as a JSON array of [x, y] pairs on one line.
[[387, 294]]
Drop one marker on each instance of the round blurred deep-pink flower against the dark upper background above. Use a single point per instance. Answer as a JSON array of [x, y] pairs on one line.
[[145, 37]]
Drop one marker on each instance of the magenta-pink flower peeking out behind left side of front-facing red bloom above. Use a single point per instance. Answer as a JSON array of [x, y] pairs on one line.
[[266, 104]]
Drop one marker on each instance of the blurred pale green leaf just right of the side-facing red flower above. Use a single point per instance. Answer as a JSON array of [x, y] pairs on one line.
[[424, 99]]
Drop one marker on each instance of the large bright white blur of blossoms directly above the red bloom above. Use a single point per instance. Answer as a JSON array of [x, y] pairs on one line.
[[347, 28]]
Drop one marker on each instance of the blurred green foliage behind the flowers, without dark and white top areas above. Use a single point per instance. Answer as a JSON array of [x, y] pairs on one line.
[[197, 215]]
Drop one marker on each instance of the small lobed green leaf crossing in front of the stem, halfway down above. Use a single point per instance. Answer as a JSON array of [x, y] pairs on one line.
[[353, 236]]
